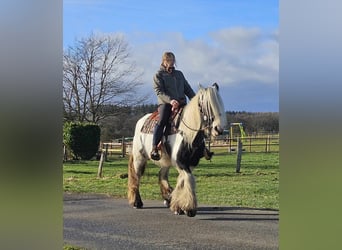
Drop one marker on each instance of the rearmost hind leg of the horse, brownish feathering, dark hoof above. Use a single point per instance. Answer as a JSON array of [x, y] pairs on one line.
[[135, 171]]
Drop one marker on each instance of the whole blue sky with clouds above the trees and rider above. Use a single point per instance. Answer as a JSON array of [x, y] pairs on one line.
[[231, 42]]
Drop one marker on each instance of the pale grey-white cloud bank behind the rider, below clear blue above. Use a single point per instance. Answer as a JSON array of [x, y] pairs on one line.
[[230, 57]]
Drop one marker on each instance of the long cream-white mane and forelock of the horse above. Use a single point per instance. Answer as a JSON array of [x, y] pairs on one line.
[[210, 103]]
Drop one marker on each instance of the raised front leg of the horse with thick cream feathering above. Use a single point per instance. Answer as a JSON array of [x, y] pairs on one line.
[[184, 195]]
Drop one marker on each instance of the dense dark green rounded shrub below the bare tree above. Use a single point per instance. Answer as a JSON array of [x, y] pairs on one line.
[[82, 139]]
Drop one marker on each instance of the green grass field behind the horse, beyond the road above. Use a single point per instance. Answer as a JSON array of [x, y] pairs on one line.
[[256, 186]]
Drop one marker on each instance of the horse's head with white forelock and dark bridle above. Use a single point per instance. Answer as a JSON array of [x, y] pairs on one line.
[[212, 108]]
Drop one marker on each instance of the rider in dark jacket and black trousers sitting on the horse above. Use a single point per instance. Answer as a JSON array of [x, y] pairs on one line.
[[171, 88]]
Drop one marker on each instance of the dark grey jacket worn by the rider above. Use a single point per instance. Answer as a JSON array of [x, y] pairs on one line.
[[170, 86]]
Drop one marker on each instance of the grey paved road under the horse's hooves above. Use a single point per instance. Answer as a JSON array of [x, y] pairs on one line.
[[102, 222]]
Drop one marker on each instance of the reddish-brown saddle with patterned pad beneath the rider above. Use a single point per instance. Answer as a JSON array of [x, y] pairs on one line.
[[152, 120]]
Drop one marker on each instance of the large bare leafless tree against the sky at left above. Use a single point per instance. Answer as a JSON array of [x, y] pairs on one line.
[[97, 72]]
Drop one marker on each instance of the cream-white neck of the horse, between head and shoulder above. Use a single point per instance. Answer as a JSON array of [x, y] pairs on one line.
[[190, 120]]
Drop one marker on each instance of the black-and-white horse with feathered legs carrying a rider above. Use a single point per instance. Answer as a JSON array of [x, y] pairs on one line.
[[203, 116]]
